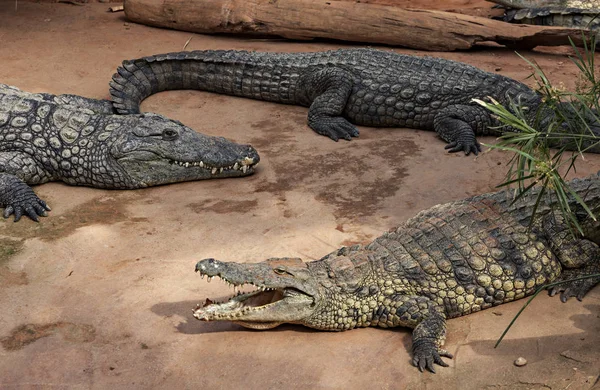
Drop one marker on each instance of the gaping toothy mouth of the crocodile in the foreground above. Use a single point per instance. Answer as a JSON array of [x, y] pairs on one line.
[[256, 309]]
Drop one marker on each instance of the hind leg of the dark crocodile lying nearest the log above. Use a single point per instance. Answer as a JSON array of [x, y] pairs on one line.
[[328, 89]]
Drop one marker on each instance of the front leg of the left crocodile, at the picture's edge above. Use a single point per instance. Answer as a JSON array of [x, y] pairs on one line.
[[15, 194]]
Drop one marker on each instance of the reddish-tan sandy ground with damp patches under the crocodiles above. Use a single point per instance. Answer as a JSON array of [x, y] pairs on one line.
[[99, 294]]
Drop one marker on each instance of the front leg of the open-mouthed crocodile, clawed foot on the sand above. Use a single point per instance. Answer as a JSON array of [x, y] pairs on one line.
[[429, 323]]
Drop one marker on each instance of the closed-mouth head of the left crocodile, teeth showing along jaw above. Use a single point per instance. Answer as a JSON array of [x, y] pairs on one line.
[[156, 150]]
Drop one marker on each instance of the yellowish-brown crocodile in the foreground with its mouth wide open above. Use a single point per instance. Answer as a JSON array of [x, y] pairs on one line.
[[448, 261]]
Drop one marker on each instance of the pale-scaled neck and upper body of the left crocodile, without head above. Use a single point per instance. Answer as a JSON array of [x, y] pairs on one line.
[[61, 143]]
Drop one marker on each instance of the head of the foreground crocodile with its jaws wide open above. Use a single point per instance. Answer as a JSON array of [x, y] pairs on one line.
[[284, 291]]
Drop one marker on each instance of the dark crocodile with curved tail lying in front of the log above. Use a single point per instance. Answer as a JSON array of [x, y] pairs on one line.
[[341, 88]]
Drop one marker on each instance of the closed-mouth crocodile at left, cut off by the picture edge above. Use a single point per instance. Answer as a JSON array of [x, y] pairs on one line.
[[82, 141]]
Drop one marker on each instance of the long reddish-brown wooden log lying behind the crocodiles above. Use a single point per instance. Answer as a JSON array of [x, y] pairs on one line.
[[342, 20]]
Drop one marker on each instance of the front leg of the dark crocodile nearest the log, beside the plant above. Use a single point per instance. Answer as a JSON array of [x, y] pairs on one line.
[[457, 125]]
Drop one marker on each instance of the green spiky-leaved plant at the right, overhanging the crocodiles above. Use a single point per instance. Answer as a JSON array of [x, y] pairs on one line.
[[531, 140]]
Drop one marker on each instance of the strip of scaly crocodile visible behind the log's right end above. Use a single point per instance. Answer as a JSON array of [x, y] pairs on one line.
[[566, 17]]
